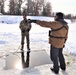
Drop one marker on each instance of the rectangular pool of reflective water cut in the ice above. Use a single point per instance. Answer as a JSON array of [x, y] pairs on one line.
[[24, 60]]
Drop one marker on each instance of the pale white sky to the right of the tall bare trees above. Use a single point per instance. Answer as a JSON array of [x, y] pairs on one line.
[[65, 6]]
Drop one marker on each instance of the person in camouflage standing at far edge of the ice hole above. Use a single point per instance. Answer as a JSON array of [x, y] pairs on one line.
[[25, 28]]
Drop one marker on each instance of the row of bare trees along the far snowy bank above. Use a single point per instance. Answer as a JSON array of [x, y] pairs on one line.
[[31, 7]]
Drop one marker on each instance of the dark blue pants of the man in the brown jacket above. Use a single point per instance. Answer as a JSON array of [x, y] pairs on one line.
[[57, 58]]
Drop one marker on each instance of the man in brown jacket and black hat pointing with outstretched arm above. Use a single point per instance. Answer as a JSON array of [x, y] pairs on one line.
[[58, 35]]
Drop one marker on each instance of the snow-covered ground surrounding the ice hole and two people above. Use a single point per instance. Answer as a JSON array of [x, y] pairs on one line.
[[10, 42]]
